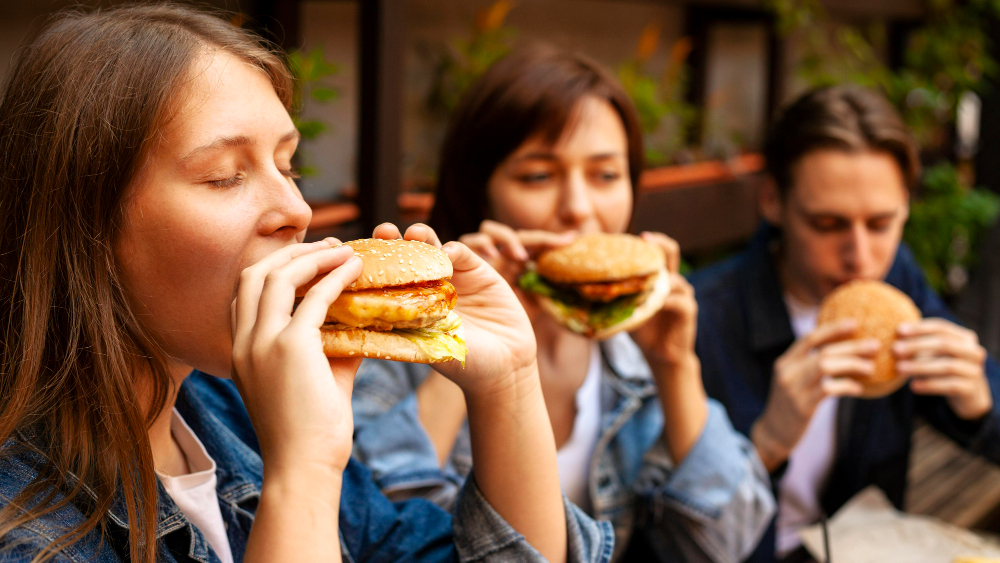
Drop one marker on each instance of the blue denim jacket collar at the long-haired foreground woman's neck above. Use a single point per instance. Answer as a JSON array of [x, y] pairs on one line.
[[240, 471]]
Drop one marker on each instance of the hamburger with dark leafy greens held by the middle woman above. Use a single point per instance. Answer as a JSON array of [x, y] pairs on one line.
[[600, 284]]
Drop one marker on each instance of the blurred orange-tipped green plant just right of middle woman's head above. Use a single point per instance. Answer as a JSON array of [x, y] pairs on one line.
[[667, 118]]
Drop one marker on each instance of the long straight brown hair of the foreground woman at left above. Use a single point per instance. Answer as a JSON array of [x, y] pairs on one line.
[[79, 111]]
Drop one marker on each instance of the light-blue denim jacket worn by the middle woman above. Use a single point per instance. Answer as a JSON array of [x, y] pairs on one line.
[[712, 507]]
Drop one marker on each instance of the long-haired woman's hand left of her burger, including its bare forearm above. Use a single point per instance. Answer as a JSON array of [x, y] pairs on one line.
[[298, 400]]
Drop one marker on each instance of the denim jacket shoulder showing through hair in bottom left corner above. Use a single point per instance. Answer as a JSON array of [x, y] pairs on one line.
[[19, 467]]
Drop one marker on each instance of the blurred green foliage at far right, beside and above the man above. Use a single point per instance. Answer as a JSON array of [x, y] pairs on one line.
[[945, 57]]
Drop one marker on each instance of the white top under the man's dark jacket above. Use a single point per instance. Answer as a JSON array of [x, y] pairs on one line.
[[811, 460]]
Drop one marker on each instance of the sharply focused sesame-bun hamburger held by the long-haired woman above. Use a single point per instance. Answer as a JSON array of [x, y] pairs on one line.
[[400, 307]]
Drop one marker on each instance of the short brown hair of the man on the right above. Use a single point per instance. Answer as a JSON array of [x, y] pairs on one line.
[[848, 118]]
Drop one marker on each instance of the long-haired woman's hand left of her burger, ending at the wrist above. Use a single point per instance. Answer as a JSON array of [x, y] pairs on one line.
[[299, 400]]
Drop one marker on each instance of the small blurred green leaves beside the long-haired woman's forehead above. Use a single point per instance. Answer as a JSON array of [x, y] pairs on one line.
[[311, 72]]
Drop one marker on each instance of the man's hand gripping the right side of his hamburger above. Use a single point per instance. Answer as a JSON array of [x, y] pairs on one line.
[[942, 358]]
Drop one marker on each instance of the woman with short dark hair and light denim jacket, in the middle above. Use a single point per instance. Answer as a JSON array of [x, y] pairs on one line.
[[545, 146]]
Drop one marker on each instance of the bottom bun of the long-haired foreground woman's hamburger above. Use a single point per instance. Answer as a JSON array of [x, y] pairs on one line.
[[353, 343]]
